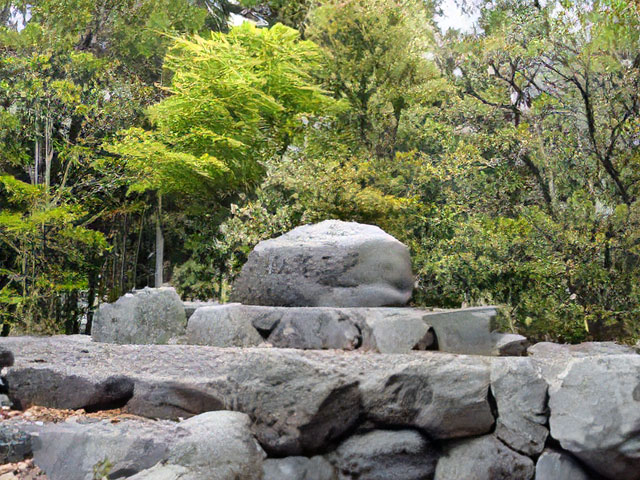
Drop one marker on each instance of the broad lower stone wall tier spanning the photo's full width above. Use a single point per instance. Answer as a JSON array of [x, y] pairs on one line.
[[565, 412]]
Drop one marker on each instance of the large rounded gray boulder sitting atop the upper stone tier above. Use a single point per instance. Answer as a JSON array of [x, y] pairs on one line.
[[331, 263]]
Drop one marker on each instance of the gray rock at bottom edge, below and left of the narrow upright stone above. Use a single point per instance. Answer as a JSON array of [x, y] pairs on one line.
[[482, 458]]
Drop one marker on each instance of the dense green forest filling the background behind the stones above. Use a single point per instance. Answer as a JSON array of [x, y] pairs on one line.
[[146, 141]]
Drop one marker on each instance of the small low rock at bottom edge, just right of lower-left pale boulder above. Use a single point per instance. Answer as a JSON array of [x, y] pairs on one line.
[[298, 468]]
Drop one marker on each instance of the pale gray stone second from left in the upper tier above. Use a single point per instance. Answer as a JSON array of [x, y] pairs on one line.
[[221, 326]]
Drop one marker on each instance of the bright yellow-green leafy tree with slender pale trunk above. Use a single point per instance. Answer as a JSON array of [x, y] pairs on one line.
[[235, 99]]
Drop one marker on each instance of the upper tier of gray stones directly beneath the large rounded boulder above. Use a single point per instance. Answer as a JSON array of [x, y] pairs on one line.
[[157, 316]]
